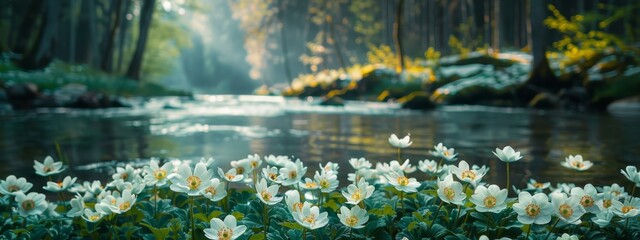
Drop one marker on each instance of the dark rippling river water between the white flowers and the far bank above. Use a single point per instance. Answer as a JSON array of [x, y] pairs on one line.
[[231, 127]]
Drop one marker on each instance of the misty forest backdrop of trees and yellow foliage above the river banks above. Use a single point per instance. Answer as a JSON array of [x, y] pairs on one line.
[[237, 45]]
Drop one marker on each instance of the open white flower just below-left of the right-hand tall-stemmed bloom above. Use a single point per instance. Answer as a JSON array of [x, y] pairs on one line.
[[491, 199]]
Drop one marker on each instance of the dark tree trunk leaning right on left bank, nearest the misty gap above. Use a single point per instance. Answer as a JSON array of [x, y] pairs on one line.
[[146, 15]]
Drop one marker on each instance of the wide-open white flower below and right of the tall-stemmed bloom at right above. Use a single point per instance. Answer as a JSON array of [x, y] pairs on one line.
[[533, 209]]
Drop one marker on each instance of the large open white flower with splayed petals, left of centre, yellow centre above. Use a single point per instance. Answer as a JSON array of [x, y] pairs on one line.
[[192, 184]]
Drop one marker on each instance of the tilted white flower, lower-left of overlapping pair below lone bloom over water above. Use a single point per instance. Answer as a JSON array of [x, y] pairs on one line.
[[567, 208]]
